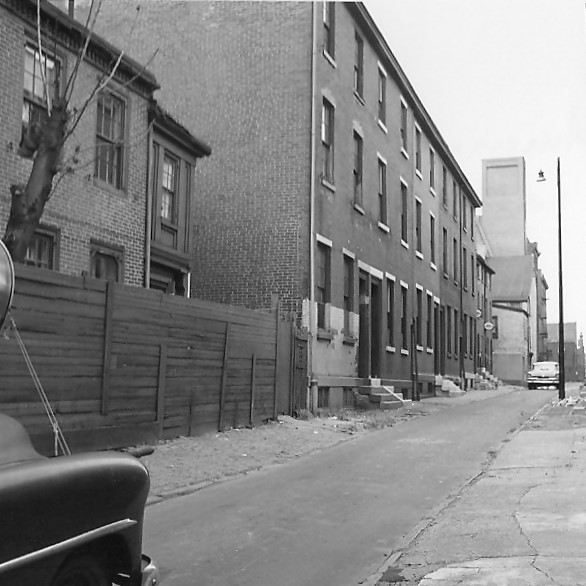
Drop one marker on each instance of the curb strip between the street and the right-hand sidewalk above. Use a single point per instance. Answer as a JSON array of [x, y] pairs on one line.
[[410, 537]]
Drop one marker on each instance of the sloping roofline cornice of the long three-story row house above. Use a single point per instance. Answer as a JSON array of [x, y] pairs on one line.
[[424, 119]]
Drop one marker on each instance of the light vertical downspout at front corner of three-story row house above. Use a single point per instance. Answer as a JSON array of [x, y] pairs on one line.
[[312, 386]]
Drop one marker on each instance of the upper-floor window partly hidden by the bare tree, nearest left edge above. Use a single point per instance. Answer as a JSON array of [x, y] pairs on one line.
[[34, 107]]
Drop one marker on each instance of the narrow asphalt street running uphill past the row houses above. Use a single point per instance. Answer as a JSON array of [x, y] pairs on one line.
[[331, 518]]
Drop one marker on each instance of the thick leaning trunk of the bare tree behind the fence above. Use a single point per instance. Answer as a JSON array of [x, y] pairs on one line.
[[28, 202]]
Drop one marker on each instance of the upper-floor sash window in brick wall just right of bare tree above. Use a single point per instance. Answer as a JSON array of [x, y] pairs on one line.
[[110, 139]]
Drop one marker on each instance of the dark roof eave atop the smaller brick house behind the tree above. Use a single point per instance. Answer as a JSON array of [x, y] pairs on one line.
[[76, 29]]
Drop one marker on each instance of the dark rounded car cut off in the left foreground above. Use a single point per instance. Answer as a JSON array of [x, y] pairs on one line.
[[73, 520]]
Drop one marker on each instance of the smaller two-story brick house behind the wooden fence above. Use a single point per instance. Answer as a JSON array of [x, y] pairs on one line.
[[108, 216]]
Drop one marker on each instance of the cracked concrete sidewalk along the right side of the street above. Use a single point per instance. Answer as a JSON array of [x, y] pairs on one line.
[[520, 522]]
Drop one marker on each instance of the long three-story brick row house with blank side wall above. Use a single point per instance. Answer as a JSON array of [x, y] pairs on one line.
[[330, 186]]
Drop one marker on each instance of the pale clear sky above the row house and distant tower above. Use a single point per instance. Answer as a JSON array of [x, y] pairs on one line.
[[507, 78]]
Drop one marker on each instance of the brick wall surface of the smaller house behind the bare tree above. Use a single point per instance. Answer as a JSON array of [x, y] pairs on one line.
[[81, 208]]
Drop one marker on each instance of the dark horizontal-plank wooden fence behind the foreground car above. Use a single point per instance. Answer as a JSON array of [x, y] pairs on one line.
[[123, 365]]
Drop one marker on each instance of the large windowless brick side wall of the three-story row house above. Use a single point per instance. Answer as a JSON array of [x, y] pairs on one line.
[[238, 75]]
